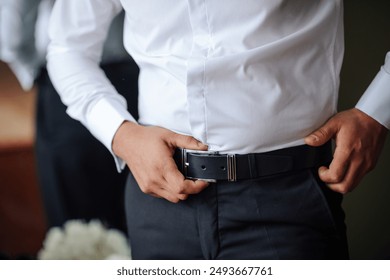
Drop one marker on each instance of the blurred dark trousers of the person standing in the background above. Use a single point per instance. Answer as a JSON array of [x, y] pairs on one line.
[[77, 174]]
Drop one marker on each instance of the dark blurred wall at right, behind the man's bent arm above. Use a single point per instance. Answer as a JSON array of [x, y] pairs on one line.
[[367, 31]]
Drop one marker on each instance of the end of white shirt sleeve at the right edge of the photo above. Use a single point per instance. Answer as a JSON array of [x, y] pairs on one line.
[[375, 102]]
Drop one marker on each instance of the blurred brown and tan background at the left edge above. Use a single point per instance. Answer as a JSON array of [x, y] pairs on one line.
[[22, 223]]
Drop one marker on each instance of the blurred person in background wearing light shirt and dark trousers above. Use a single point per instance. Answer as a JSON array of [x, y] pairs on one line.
[[77, 176]]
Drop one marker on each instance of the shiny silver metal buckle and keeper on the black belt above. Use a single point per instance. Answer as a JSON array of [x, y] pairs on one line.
[[231, 164]]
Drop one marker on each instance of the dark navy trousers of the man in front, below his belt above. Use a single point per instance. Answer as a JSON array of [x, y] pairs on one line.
[[288, 216]]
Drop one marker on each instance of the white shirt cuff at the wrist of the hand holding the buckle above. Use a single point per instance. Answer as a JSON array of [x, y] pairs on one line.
[[104, 119]]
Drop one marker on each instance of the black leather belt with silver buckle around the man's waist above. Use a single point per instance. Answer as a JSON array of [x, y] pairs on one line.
[[213, 166]]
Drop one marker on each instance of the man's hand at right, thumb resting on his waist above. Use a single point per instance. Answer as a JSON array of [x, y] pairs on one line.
[[359, 140]]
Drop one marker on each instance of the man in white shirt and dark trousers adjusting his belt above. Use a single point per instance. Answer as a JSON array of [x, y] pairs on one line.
[[243, 84]]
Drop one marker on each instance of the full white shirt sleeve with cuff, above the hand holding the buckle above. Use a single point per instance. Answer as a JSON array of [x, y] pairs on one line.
[[77, 32]]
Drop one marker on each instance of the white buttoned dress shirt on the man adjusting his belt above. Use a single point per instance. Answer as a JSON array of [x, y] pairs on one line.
[[241, 76]]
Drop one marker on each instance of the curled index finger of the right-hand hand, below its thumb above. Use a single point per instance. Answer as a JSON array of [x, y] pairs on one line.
[[337, 168]]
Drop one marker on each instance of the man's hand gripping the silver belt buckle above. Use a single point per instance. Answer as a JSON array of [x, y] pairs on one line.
[[148, 151]]
